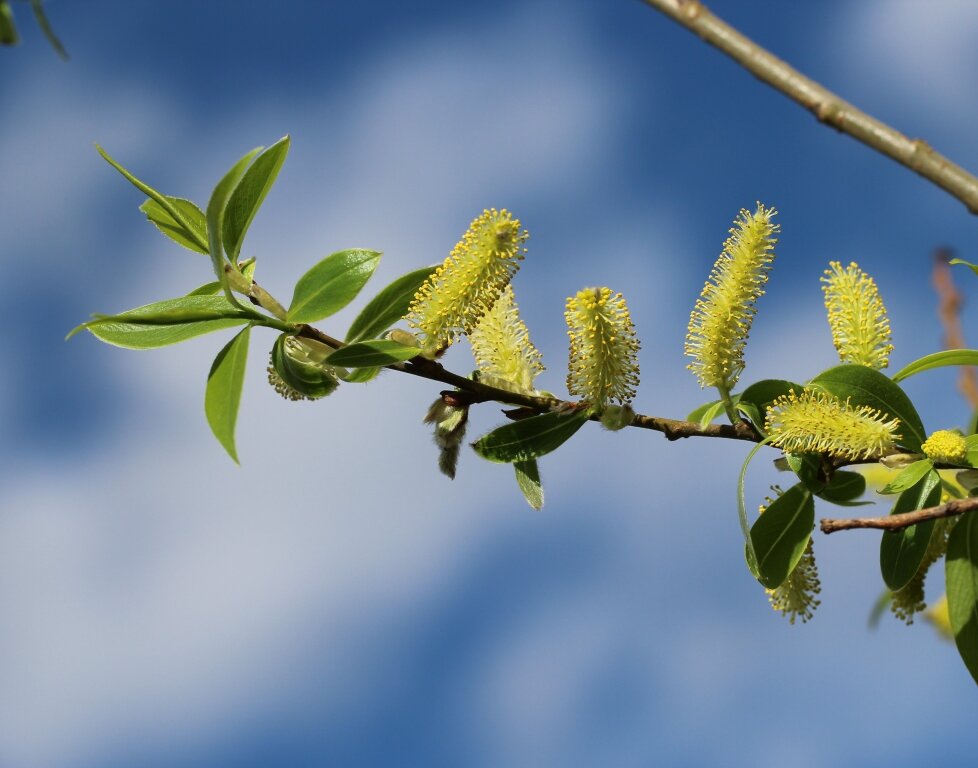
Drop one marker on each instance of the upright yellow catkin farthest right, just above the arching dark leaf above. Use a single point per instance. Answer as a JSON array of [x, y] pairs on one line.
[[857, 317]]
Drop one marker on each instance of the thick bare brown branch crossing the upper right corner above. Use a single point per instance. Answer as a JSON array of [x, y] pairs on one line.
[[829, 108]]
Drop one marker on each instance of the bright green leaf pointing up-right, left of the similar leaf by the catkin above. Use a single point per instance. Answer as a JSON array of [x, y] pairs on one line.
[[332, 284]]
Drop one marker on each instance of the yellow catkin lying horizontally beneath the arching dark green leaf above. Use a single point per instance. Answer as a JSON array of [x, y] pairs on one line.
[[817, 422]]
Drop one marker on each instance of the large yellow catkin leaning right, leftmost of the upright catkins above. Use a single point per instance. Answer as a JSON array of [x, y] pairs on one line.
[[451, 302]]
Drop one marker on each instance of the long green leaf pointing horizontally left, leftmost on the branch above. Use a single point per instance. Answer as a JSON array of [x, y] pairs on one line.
[[167, 322]]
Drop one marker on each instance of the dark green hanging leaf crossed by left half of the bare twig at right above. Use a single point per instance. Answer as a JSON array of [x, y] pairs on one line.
[[901, 552]]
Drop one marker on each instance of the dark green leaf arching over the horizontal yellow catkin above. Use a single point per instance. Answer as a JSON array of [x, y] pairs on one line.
[[862, 385]]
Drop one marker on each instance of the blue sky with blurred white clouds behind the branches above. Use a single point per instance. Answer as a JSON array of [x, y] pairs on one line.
[[337, 601]]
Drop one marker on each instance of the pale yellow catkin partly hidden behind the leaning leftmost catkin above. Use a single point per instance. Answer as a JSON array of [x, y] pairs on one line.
[[502, 348]]
